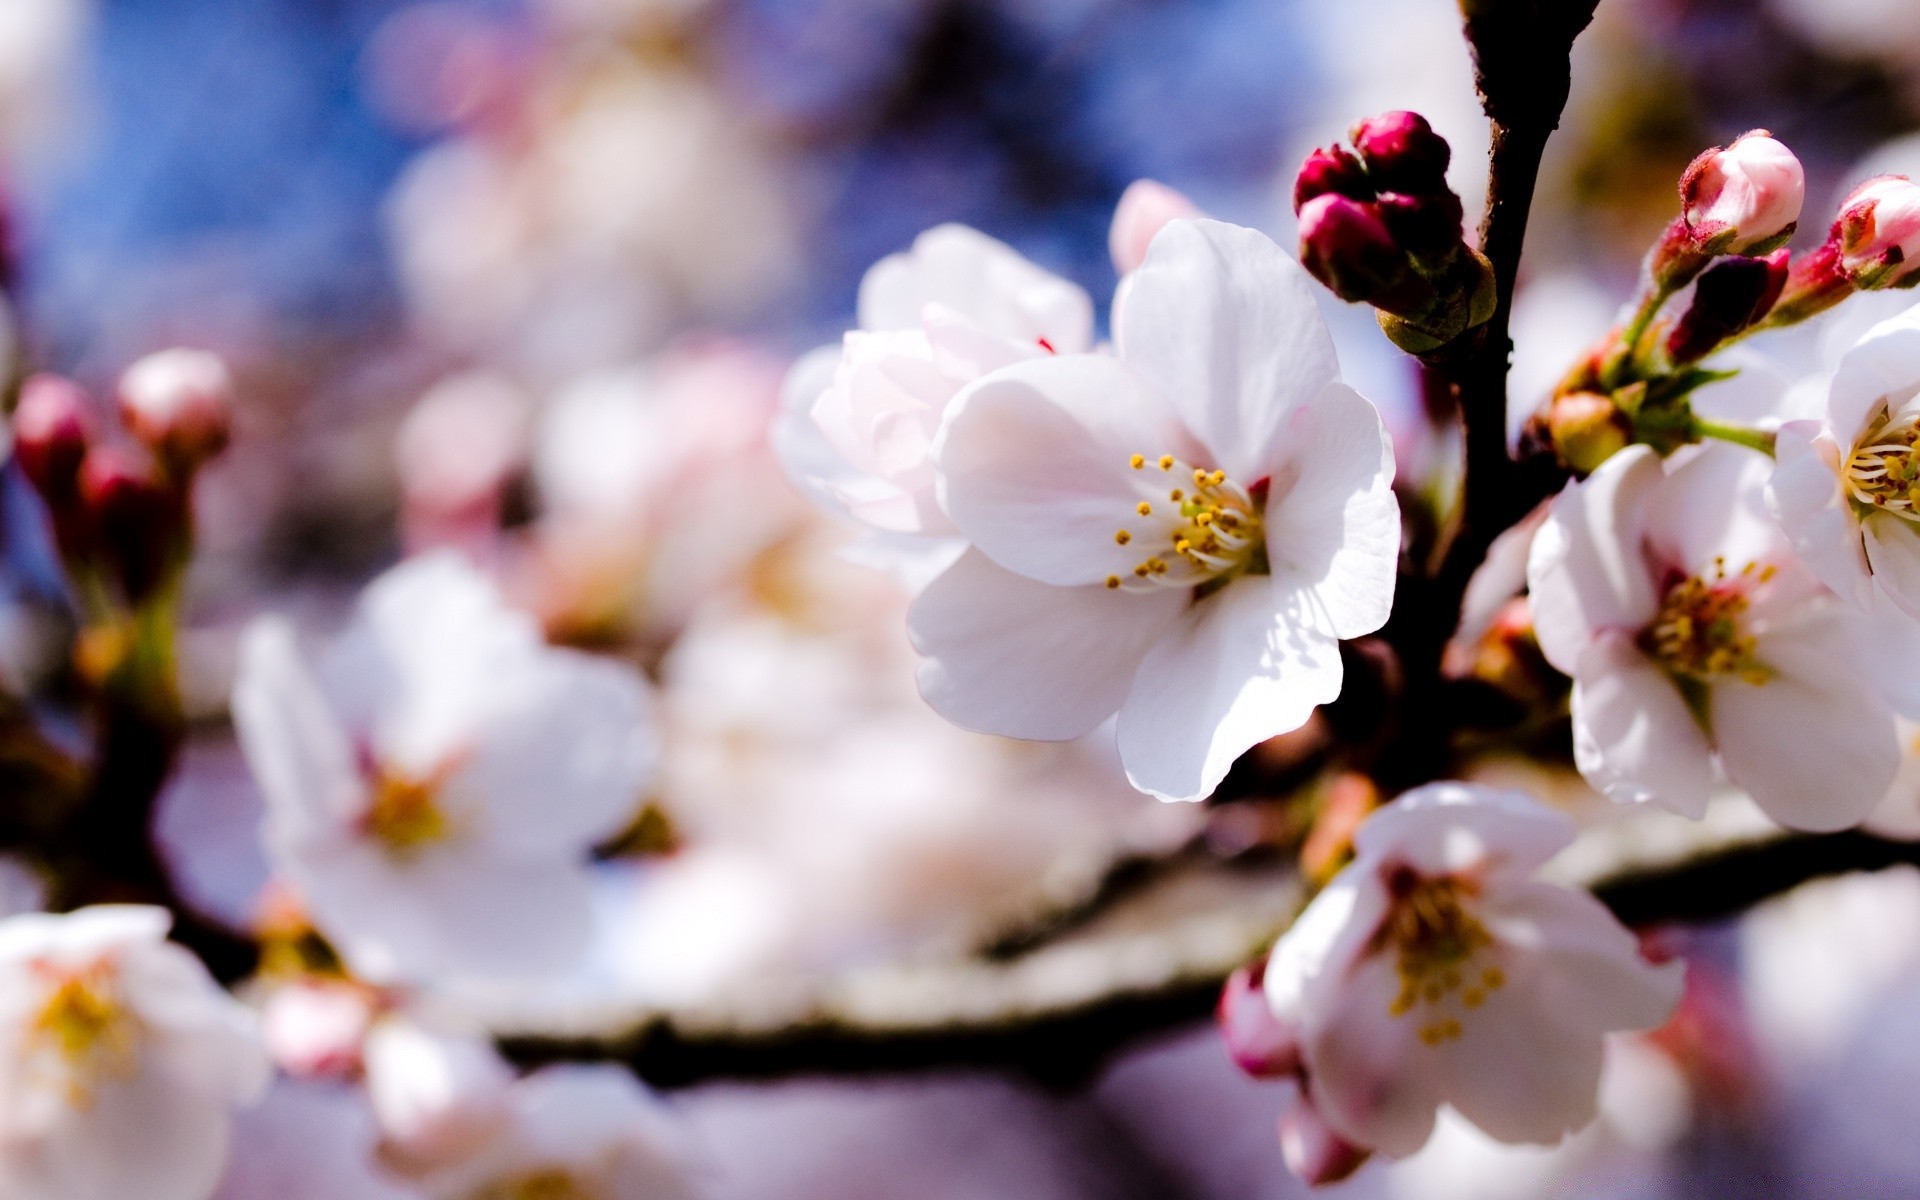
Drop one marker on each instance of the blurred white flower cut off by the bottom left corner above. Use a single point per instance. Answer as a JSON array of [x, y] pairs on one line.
[[122, 1061]]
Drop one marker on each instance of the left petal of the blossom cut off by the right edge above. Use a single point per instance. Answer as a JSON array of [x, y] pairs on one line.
[[1813, 512]]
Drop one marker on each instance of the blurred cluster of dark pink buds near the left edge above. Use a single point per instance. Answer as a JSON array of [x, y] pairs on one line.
[[120, 506]]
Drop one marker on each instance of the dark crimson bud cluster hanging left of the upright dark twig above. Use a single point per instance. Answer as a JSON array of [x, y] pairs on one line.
[[1380, 226]]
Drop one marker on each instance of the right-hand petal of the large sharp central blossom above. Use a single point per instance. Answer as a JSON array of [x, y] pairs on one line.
[[1333, 523]]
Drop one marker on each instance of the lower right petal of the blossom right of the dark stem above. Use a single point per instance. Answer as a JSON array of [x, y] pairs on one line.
[[1812, 746]]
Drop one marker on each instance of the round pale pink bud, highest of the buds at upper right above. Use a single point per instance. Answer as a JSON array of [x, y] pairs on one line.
[[1742, 199]]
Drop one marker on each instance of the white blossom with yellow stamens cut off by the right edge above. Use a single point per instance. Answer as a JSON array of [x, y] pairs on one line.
[[1848, 483]]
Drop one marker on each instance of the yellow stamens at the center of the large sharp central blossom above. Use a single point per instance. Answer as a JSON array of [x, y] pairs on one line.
[[1193, 527]]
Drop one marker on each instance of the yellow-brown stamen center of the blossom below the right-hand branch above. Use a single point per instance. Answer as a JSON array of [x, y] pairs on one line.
[[1441, 949]]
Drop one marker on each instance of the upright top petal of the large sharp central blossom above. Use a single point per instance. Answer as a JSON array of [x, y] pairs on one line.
[[1228, 325]]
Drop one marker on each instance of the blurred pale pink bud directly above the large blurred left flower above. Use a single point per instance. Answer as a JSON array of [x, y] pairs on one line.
[[458, 450]]
